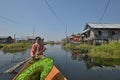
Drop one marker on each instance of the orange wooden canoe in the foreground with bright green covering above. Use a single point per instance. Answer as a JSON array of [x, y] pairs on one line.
[[43, 69]]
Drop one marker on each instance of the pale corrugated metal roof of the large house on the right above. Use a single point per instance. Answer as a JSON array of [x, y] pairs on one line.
[[103, 25]]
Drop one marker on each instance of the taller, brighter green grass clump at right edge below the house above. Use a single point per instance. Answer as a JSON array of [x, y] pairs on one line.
[[110, 50]]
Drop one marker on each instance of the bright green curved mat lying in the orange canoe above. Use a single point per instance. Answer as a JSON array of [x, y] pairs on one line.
[[38, 70]]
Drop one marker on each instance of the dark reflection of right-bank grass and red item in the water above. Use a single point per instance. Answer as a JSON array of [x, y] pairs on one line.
[[95, 62]]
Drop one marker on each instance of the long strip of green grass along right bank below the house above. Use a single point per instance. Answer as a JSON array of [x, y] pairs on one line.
[[109, 51]]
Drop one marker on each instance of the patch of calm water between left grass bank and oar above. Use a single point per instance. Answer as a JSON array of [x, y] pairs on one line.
[[8, 59]]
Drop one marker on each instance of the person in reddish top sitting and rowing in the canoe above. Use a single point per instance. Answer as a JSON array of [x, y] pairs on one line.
[[37, 48]]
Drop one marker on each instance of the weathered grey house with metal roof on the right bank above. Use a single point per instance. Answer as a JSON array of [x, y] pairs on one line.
[[101, 31]]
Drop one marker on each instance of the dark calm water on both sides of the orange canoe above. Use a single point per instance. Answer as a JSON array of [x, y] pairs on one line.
[[73, 65]]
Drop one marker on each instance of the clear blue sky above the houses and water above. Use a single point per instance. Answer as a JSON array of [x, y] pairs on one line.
[[54, 19]]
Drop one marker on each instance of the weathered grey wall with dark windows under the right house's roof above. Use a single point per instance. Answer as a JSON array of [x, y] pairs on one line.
[[109, 34]]
